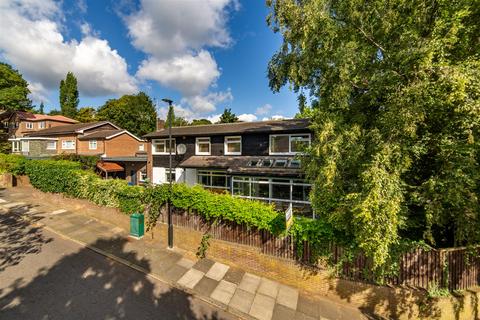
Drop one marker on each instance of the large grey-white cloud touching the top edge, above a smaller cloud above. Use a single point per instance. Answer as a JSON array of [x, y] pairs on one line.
[[167, 28]]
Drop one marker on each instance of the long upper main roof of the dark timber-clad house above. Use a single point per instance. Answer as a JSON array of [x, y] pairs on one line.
[[235, 128]]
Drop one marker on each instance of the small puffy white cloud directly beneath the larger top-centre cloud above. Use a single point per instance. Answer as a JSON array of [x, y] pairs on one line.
[[191, 75]]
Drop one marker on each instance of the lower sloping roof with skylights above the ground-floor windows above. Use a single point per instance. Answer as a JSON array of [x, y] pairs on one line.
[[240, 165]]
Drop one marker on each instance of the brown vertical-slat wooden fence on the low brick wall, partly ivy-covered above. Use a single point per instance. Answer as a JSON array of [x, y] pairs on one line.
[[457, 268]]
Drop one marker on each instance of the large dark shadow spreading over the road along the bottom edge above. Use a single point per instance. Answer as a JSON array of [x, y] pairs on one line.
[[85, 285]]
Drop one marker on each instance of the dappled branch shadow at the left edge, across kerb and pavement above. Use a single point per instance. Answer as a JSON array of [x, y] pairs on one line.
[[19, 237]]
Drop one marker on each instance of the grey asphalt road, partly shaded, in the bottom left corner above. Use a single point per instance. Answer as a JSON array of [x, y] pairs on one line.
[[44, 276]]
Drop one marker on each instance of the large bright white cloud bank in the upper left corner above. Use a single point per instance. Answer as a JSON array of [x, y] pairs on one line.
[[31, 39]]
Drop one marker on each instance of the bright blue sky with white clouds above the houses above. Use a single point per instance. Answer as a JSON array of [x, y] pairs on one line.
[[205, 55]]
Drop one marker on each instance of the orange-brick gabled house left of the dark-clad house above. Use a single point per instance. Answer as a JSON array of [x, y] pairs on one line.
[[121, 154]]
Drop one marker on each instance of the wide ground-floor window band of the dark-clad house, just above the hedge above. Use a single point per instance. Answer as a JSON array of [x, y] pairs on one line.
[[281, 192]]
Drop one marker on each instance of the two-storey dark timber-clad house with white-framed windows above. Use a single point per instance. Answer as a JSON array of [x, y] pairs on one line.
[[255, 160]]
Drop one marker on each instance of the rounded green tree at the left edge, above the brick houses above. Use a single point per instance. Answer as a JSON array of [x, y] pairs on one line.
[[13, 89]]
